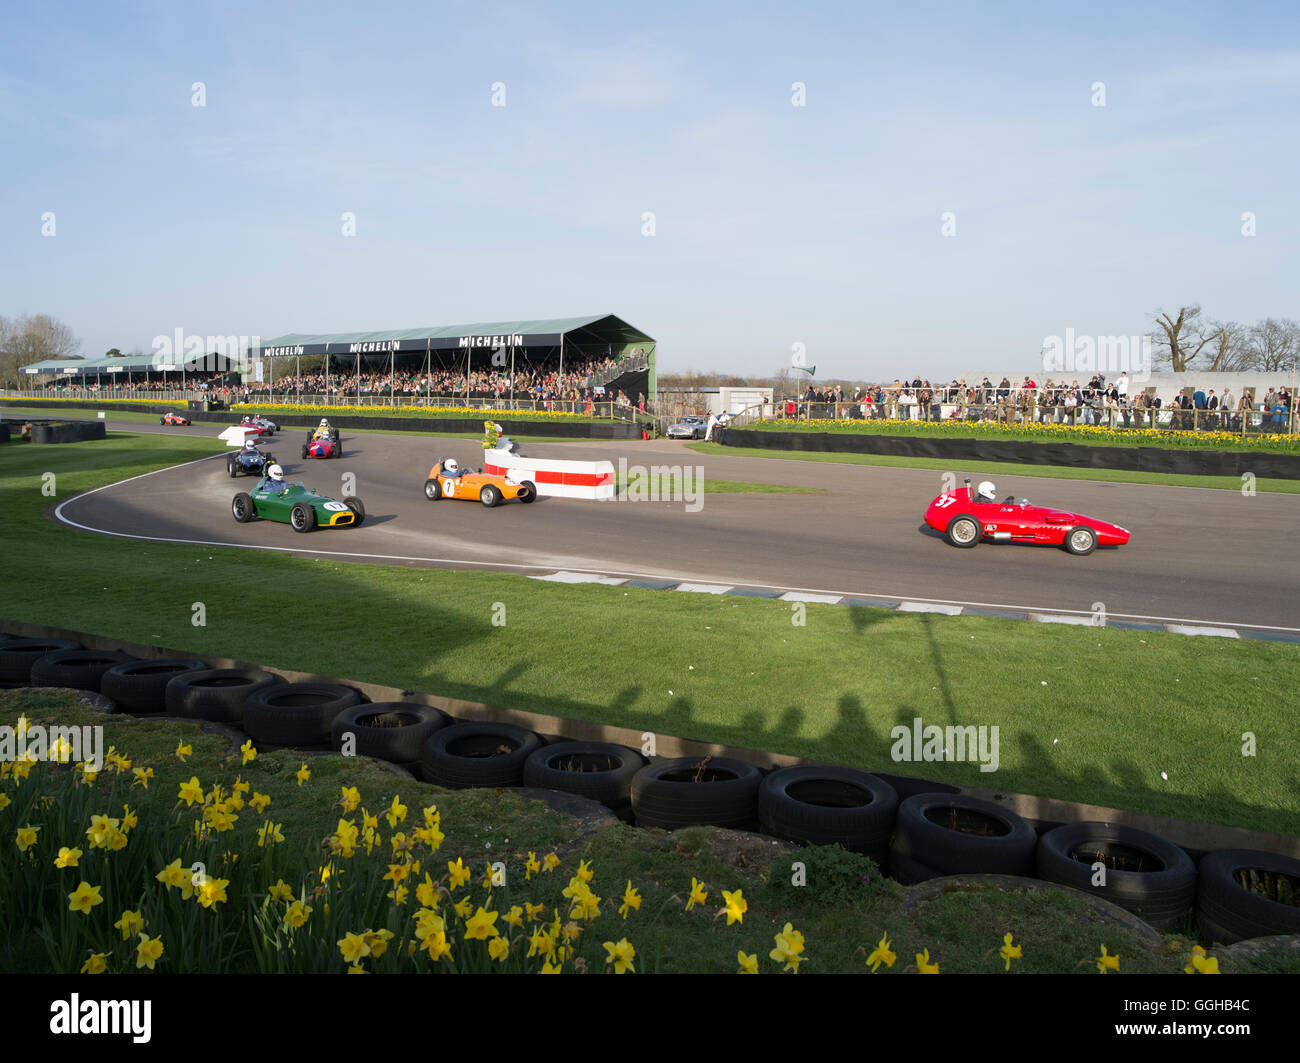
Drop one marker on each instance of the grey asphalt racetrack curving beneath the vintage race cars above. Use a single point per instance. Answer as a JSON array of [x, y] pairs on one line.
[[1197, 557]]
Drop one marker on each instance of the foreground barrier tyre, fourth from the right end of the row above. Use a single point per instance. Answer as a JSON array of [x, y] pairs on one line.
[[826, 805]]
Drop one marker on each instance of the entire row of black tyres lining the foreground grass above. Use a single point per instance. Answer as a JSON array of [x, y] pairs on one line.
[[1232, 895]]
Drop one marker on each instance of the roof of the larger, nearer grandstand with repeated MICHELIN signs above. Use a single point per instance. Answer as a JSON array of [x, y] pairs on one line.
[[600, 329]]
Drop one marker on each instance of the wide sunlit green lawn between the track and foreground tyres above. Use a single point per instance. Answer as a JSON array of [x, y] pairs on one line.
[[1117, 709]]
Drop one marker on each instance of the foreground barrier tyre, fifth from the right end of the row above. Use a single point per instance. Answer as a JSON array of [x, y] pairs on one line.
[[666, 795]]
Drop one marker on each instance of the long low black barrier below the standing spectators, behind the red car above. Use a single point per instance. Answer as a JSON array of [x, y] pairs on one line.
[[1064, 455]]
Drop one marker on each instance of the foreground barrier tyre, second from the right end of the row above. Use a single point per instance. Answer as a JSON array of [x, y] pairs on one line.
[[1160, 888]]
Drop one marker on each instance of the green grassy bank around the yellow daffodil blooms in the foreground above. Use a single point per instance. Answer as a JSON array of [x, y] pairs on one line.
[[842, 910]]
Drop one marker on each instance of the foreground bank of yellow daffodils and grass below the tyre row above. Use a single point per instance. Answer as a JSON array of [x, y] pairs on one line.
[[185, 853]]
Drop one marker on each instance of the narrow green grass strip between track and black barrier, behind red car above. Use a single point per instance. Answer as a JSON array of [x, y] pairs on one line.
[[1009, 468]]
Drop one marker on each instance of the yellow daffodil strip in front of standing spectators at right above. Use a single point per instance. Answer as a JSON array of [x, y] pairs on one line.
[[1094, 436]]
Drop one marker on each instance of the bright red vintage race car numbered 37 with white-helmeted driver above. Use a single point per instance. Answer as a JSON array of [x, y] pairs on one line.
[[967, 517]]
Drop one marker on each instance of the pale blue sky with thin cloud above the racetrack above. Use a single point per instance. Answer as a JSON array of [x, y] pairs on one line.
[[774, 224]]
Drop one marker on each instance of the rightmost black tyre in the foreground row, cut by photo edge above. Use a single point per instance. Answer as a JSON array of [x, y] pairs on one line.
[[1224, 905]]
